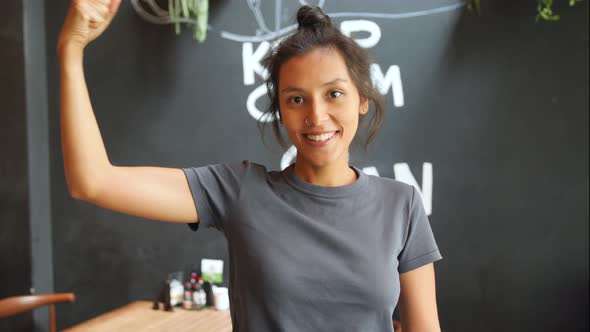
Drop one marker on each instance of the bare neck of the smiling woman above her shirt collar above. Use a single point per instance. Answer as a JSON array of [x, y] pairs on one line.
[[333, 175]]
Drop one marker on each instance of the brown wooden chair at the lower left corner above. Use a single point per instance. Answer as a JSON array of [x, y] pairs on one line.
[[15, 305]]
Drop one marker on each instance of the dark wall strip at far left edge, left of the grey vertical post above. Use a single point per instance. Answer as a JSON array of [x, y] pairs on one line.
[[15, 249]]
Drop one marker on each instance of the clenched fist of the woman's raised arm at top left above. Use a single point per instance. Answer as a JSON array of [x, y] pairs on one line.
[[86, 20]]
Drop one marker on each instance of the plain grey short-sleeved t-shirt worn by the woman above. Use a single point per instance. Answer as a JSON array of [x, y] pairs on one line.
[[309, 258]]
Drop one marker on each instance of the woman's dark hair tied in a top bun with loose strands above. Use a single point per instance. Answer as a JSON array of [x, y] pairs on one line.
[[315, 30]]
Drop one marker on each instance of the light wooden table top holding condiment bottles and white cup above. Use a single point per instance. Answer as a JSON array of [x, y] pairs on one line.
[[139, 316]]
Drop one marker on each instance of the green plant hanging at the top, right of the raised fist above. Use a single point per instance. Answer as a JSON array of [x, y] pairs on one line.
[[191, 12]]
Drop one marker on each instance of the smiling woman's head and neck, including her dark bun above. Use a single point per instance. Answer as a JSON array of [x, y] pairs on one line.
[[320, 85]]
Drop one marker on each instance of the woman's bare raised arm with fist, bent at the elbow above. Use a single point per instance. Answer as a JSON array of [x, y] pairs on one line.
[[149, 192]]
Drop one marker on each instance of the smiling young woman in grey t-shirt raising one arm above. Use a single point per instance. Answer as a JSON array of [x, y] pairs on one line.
[[320, 246]]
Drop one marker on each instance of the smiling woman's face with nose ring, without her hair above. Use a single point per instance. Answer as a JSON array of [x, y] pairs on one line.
[[320, 106]]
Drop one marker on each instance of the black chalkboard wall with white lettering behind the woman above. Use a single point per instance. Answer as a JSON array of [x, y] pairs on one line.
[[487, 116]]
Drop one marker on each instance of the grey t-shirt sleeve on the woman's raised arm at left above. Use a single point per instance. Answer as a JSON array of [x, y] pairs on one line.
[[214, 189]]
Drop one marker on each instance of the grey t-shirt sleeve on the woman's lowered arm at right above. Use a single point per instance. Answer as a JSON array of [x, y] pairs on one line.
[[420, 247]]
